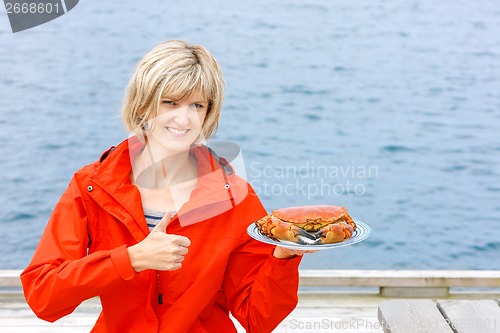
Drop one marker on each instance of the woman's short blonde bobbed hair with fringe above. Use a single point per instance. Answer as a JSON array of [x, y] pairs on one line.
[[173, 69]]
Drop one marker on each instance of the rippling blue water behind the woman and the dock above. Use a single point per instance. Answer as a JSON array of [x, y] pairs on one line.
[[391, 108]]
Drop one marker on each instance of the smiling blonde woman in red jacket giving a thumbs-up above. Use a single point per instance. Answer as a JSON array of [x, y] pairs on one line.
[[157, 226]]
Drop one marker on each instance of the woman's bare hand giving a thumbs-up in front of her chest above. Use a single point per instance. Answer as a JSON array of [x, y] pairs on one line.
[[159, 250]]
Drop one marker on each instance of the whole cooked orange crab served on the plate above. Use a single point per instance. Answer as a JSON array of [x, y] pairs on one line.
[[322, 224]]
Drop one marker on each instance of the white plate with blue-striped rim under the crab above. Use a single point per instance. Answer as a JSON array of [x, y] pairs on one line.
[[362, 232]]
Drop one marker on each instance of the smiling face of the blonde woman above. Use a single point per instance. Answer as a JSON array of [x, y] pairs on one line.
[[179, 122]]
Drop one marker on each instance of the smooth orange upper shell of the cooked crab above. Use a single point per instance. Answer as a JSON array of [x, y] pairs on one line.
[[314, 218]]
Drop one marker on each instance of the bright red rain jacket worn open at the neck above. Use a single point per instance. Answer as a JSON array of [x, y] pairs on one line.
[[82, 254]]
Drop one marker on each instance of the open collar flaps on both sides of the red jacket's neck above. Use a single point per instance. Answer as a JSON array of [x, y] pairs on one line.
[[218, 188]]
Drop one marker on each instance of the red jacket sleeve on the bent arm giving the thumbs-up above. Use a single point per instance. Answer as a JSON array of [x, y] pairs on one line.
[[61, 275]]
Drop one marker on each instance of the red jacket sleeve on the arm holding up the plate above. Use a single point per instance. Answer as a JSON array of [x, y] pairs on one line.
[[261, 290]]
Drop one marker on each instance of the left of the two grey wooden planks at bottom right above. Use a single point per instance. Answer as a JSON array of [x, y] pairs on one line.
[[411, 316]]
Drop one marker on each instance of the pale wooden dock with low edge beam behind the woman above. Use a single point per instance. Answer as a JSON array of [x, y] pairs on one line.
[[329, 300]]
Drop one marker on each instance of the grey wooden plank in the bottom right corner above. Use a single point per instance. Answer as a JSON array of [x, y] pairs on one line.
[[471, 316]]
